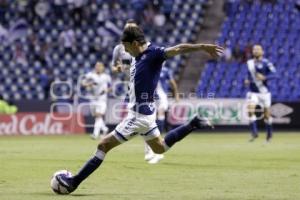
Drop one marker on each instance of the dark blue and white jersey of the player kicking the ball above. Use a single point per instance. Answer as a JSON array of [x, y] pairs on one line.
[[144, 76]]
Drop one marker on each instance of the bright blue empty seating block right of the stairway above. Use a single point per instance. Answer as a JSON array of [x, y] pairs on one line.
[[277, 28]]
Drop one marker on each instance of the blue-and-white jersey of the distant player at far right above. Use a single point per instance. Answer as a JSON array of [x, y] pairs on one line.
[[266, 68]]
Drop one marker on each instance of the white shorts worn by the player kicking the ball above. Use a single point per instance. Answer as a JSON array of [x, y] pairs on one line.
[[137, 124]]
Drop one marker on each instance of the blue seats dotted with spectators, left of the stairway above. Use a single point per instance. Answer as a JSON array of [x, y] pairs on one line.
[[95, 39]]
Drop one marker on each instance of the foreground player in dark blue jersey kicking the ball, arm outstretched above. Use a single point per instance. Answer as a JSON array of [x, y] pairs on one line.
[[144, 75]]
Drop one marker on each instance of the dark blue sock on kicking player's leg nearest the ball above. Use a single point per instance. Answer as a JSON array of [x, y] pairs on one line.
[[89, 167]]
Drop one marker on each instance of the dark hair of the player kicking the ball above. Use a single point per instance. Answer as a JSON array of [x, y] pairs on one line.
[[133, 33]]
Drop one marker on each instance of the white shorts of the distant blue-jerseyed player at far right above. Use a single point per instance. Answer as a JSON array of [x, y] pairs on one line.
[[262, 99]]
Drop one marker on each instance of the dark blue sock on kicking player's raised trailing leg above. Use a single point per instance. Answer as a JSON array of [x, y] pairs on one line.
[[178, 134]]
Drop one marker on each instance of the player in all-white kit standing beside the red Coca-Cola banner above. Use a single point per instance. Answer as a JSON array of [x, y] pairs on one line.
[[98, 83]]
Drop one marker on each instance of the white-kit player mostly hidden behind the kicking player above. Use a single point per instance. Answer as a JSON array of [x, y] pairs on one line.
[[121, 63]]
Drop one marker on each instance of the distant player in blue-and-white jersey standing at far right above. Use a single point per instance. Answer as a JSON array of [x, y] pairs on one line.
[[260, 71]]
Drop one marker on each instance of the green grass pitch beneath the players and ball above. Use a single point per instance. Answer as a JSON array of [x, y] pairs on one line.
[[203, 166]]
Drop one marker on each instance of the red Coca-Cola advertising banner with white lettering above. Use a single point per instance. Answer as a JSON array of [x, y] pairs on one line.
[[41, 124]]
